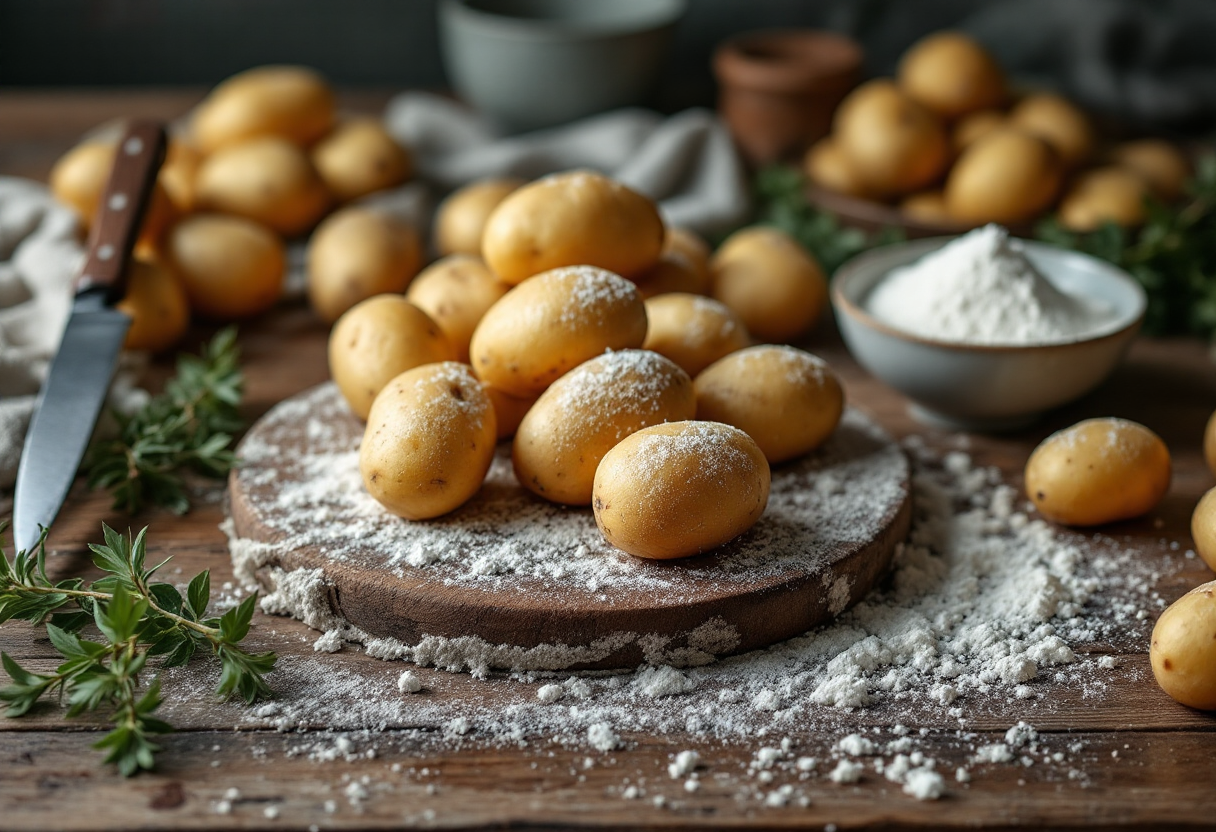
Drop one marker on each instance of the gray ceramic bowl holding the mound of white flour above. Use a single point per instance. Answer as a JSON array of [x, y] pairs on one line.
[[988, 389]]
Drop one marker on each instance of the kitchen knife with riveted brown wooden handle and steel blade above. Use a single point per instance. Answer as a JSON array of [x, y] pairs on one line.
[[80, 376]]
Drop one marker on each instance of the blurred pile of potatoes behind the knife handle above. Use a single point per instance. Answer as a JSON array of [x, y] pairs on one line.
[[264, 159]]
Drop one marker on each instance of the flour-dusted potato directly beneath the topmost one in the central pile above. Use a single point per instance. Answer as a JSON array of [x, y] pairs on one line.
[[554, 323]]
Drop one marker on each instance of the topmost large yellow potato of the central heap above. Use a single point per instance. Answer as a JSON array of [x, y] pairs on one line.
[[578, 218]]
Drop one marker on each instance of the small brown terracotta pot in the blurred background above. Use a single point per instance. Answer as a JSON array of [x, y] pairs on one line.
[[778, 91]]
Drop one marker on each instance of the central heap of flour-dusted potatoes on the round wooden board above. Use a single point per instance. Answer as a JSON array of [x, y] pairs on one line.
[[567, 318]]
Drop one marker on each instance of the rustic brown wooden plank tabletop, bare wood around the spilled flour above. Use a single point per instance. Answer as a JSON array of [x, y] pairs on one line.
[[1150, 762]]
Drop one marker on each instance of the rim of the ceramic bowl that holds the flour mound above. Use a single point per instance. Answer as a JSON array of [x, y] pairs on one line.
[[843, 303]]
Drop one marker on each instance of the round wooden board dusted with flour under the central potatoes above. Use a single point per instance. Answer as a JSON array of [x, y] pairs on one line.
[[513, 570]]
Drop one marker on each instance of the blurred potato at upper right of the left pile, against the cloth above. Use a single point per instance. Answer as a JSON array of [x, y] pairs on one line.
[[359, 159]]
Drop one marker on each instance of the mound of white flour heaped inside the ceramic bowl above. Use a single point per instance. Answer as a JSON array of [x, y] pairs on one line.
[[983, 289]]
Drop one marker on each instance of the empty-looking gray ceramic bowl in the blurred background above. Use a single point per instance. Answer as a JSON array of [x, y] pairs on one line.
[[533, 64]]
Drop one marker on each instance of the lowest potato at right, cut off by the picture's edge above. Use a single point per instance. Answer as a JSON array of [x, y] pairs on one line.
[[1184, 651]]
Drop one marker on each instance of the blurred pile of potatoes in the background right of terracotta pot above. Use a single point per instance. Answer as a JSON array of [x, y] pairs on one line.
[[950, 144]]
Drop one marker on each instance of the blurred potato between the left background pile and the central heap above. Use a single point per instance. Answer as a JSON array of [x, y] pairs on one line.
[[358, 254]]
